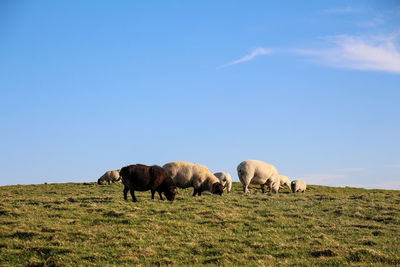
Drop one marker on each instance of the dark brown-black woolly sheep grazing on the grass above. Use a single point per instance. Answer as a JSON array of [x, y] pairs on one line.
[[140, 177]]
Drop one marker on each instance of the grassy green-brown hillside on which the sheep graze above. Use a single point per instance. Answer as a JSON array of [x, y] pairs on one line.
[[87, 224]]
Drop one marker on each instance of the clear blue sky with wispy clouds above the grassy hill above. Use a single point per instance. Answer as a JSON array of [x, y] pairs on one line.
[[88, 86]]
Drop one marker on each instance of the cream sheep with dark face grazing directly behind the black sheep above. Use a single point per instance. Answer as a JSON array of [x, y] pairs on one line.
[[186, 174]]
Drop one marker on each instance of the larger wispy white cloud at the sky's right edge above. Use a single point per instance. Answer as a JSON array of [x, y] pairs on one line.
[[353, 52]]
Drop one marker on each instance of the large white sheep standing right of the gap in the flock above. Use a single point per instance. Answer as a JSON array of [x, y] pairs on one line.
[[258, 172]]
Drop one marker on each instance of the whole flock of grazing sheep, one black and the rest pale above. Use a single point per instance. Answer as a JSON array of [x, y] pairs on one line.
[[184, 174]]
